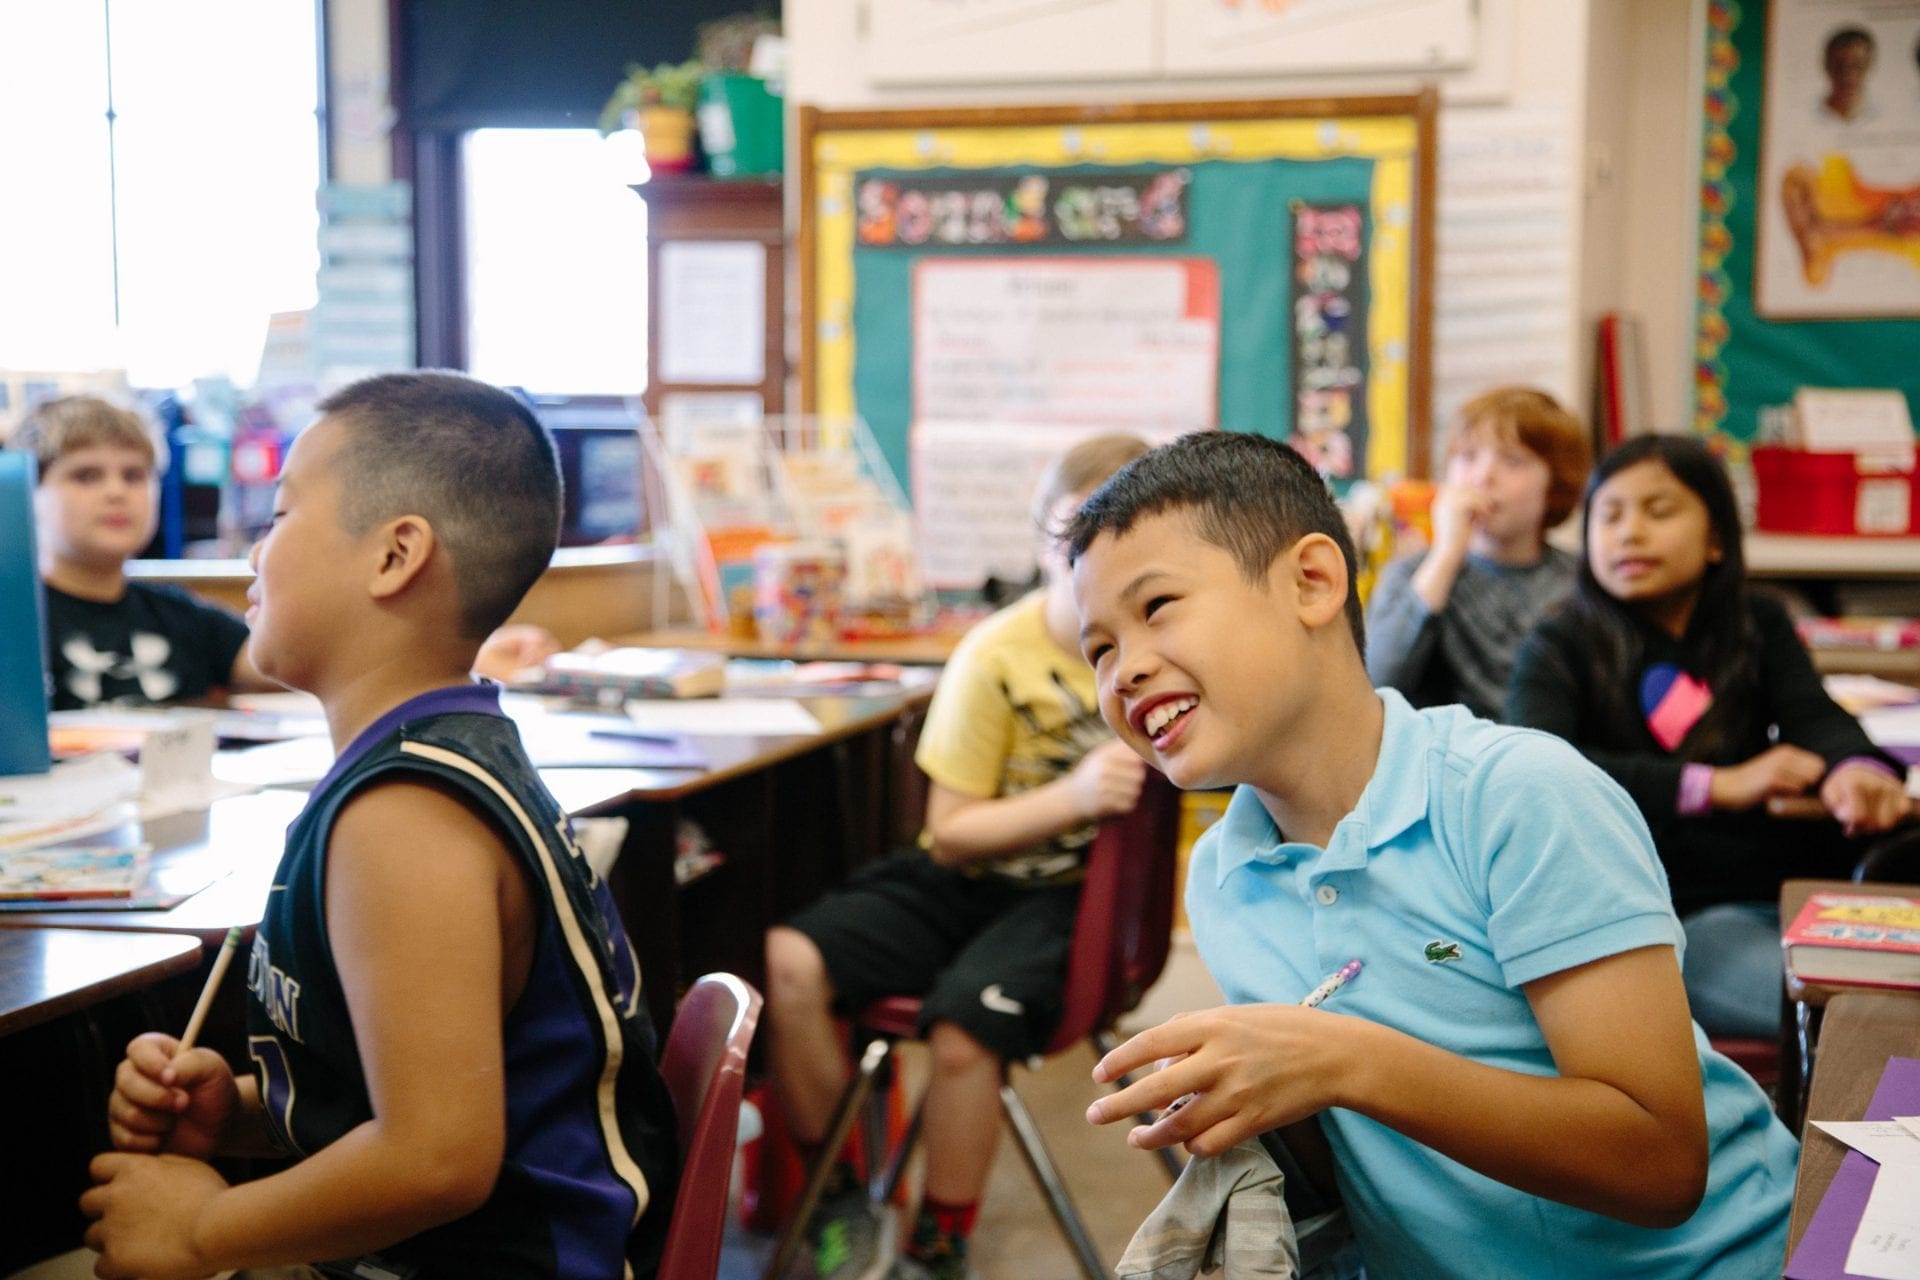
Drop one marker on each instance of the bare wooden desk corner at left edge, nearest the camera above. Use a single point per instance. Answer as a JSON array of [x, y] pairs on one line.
[[47, 974]]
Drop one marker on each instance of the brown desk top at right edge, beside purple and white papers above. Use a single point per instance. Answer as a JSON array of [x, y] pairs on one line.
[[1861, 1031]]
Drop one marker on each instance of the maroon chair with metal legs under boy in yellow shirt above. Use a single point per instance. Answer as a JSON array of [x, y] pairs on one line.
[[1122, 934]]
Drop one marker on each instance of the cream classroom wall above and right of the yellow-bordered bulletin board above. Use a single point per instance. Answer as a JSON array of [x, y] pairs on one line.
[[1614, 78]]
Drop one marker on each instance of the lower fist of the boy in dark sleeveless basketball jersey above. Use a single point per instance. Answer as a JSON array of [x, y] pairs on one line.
[[145, 1212]]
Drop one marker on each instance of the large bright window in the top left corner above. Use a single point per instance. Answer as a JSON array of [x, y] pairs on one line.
[[162, 241]]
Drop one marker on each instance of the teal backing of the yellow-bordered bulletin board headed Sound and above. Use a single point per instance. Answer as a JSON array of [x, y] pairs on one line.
[[1239, 216]]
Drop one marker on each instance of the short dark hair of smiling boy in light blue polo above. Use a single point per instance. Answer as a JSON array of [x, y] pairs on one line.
[[1249, 496]]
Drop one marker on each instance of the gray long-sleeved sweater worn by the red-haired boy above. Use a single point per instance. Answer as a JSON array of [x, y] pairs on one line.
[[1466, 652]]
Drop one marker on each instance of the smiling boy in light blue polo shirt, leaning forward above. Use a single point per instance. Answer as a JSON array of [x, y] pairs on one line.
[[1512, 1085]]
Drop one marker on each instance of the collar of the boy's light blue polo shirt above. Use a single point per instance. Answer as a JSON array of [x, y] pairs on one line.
[[1393, 801]]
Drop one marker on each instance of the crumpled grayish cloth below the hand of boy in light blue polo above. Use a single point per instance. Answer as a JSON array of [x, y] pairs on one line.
[[1224, 1218]]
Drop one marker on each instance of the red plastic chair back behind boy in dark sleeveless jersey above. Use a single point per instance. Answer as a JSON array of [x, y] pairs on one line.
[[706, 1066]]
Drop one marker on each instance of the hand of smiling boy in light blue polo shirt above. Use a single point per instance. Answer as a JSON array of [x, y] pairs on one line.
[[1251, 1068]]
